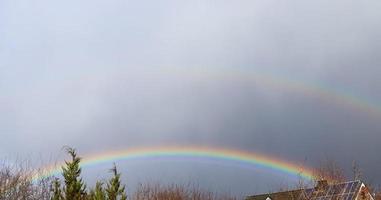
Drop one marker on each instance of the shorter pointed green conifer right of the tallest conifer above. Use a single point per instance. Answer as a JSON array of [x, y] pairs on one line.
[[114, 188]]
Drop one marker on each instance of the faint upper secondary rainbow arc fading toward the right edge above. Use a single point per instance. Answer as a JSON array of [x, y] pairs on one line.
[[316, 90]]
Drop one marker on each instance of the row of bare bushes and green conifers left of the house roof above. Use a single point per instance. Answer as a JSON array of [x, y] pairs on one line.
[[16, 183]]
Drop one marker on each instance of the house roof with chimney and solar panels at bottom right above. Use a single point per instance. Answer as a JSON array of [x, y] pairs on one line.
[[352, 190]]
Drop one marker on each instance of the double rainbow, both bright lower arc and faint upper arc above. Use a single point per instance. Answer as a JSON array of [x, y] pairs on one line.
[[320, 91]]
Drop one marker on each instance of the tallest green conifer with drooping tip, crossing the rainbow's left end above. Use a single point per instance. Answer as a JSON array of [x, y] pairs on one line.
[[74, 188]]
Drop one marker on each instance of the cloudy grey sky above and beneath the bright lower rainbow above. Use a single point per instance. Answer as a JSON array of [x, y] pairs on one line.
[[297, 80]]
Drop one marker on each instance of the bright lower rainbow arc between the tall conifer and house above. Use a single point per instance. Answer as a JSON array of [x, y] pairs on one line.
[[223, 154]]
